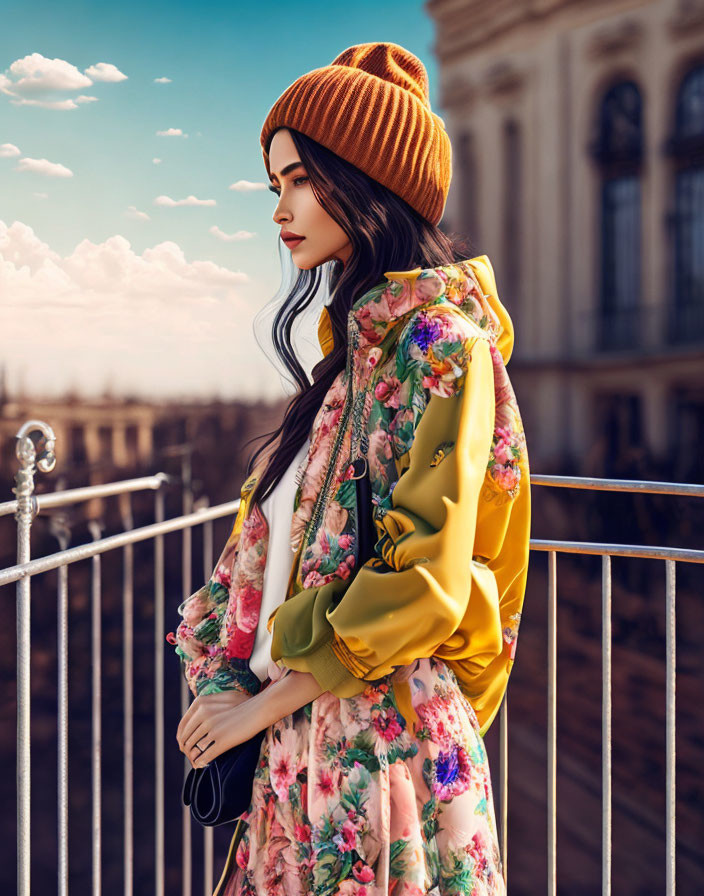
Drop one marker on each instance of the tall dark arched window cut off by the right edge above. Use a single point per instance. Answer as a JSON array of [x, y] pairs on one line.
[[686, 148]]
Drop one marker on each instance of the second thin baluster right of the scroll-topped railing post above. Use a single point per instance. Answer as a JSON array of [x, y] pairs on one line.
[[95, 529]]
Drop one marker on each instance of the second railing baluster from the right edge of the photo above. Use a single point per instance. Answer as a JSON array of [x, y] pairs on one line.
[[606, 725]]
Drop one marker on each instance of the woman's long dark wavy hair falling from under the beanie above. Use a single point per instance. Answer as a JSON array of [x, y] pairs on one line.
[[386, 235]]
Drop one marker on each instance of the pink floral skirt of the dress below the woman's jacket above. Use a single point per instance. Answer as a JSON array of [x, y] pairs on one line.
[[361, 797]]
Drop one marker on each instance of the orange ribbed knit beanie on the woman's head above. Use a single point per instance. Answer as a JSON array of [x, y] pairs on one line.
[[371, 107]]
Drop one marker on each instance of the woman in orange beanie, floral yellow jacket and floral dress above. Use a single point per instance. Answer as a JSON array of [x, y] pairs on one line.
[[387, 656]]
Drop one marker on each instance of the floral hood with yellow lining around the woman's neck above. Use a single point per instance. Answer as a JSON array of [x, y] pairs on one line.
[[469, 284]]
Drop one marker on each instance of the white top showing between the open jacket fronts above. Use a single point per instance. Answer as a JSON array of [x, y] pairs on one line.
[[277, 508]]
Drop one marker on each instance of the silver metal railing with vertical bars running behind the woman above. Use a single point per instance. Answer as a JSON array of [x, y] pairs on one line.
[[27, 505]]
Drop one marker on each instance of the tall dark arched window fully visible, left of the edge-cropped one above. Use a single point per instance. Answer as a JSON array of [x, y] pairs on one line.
[[618, 151]]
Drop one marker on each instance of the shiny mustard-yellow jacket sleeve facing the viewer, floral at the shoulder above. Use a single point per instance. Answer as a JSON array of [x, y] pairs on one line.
[[409, 599]]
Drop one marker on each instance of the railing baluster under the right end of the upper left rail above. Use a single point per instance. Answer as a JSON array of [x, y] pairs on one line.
[[159, 512]]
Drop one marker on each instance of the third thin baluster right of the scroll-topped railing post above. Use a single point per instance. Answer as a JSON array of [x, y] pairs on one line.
[[128, 702]]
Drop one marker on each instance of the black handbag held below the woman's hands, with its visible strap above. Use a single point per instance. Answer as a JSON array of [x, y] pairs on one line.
[[222, 791]]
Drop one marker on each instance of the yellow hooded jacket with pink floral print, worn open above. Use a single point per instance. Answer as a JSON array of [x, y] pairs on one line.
[[426, 406]]
